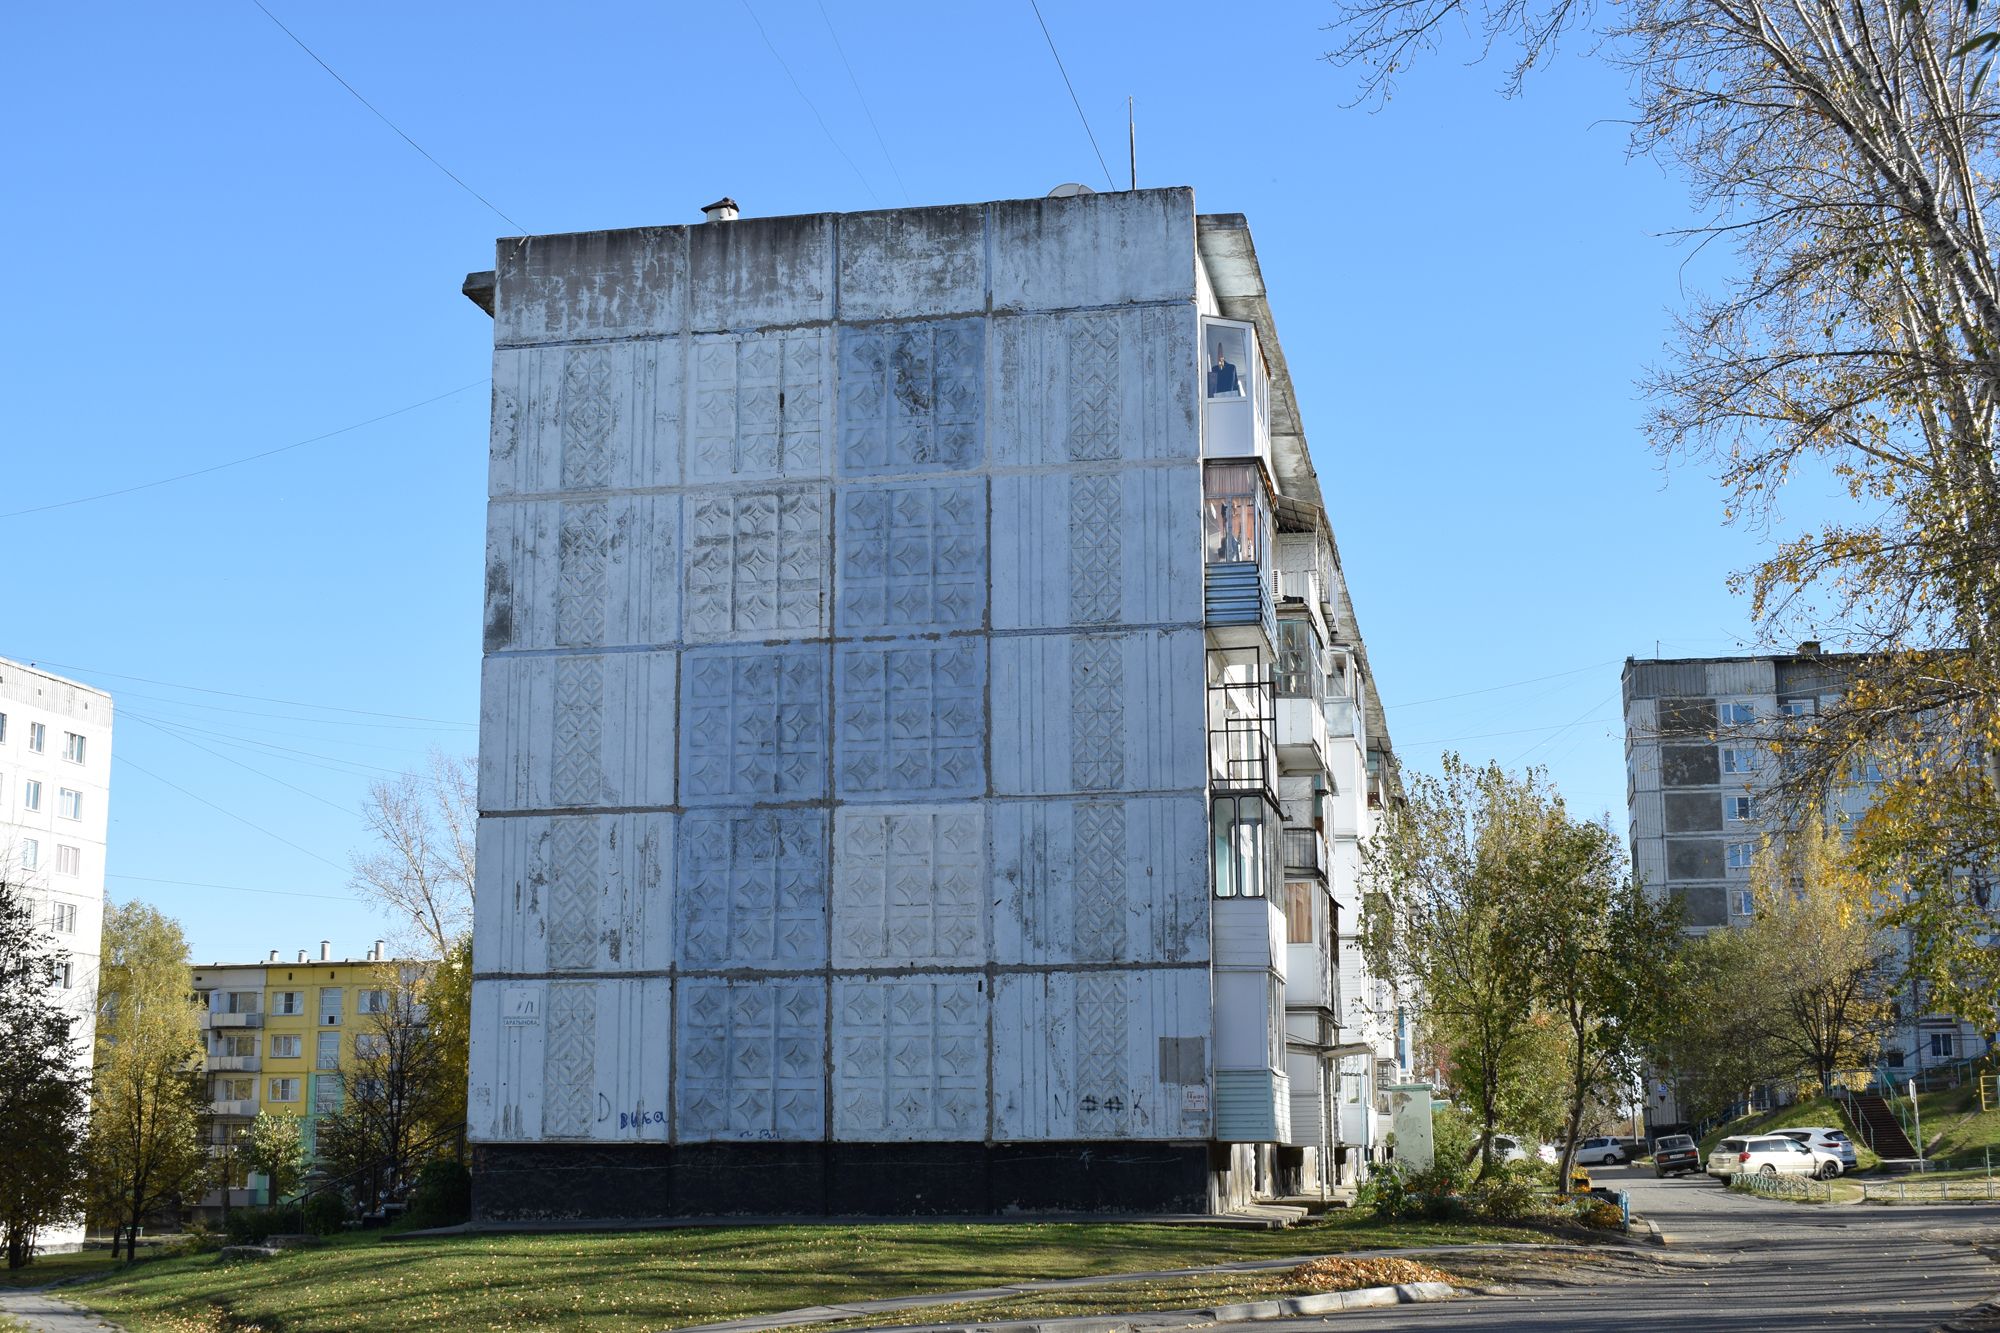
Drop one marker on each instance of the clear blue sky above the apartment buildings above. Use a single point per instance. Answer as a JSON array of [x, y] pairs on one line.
[[219, 251]]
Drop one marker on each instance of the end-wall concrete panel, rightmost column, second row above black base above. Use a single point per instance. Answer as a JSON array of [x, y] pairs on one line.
[[1101, 882]]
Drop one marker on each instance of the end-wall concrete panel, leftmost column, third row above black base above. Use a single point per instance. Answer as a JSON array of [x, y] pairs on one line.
[[577, 732]]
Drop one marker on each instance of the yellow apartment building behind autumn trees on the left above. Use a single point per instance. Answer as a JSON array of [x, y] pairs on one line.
[[281, 1038]]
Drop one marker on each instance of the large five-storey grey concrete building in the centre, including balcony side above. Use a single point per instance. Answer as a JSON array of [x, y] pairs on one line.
[[927, 738]]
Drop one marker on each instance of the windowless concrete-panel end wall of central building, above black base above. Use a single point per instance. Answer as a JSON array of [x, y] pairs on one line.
[[843, 770]]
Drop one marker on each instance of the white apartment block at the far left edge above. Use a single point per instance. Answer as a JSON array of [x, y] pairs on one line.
[[55, 800]]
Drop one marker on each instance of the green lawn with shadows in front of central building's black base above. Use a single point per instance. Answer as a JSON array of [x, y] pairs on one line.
[[623, 1282]]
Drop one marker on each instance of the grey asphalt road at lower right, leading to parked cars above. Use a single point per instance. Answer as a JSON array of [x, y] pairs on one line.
[[1745, 1266]]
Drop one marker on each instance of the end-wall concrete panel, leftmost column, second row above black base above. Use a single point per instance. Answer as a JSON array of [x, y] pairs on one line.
[[579, 894]]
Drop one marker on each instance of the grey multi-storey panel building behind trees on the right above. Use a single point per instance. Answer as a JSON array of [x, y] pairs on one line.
[[1699, 766]]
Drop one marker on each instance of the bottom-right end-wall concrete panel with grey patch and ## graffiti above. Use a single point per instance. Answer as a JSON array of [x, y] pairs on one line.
[[1101, 1056]]
